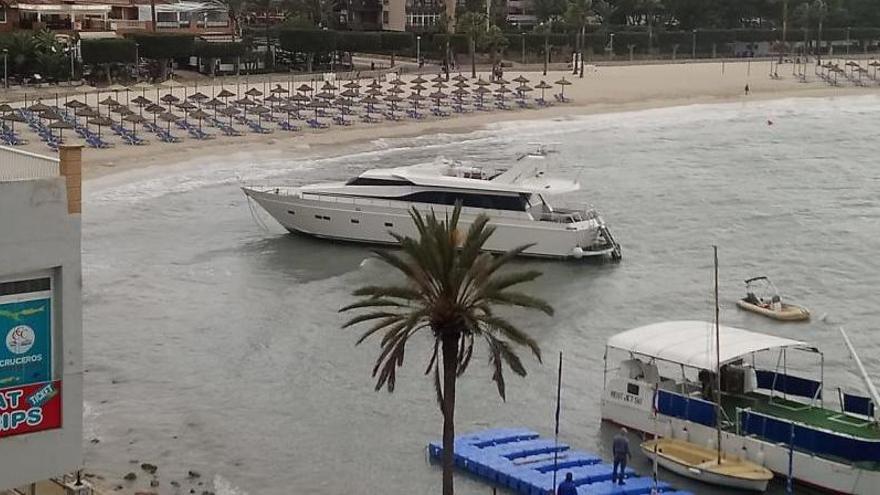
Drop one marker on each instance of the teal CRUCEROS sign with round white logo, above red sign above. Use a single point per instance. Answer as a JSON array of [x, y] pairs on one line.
[[25, 342]]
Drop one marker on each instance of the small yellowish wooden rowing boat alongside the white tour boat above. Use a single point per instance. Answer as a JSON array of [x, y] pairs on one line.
[[701, 464]]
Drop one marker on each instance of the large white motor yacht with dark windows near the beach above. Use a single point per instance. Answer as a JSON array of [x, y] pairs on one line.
[[369, 206]]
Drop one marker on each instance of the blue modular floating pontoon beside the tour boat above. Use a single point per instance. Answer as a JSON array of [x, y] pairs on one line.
[[518, 459]]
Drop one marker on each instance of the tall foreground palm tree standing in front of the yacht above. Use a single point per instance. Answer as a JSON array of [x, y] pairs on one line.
[[451, 289]]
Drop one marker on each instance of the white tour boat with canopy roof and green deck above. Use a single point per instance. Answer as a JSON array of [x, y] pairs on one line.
[[664, 382]]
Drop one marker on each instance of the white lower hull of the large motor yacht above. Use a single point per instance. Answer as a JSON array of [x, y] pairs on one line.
[[371, 221]]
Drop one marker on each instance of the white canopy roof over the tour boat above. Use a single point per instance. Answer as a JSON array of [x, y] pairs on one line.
[[692, 343]]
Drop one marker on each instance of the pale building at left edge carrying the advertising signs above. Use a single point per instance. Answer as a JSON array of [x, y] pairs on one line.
[[41, 367]]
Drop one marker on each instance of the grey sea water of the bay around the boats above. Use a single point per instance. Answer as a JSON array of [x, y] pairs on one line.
[[213, 340]]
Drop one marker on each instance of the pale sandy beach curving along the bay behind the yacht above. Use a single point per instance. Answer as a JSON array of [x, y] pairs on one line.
[[603, 89]]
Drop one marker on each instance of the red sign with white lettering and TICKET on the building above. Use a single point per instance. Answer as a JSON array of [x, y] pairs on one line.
[[30, 408]]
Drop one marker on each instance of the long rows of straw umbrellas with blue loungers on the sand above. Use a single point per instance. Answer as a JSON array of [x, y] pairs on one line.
[[259, 103]]
